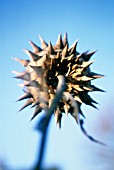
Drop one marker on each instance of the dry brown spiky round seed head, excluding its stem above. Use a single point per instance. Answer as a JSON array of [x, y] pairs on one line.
[[40, 77]]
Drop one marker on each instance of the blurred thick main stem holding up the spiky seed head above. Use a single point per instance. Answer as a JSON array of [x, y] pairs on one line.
[[44, 123]]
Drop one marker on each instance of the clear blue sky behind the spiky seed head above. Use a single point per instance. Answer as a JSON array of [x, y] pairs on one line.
[[92, 22]]
